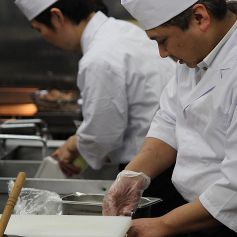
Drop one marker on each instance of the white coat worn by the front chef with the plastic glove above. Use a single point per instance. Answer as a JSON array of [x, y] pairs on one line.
[[200, 122]]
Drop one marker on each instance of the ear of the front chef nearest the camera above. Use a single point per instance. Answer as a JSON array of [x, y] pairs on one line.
[[201, 17]]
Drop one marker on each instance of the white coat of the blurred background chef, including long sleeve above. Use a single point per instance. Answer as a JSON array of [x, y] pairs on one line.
[[121, 76]]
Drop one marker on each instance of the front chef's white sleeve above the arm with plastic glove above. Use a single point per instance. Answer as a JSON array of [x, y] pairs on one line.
[[164, 122]]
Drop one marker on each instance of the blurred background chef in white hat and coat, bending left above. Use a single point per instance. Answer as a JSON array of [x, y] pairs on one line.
[[120, 77]]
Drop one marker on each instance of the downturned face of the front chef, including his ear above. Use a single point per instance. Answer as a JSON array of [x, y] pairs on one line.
[[188, 46]]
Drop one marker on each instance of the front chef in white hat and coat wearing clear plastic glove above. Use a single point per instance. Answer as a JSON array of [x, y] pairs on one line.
[[196, 126]]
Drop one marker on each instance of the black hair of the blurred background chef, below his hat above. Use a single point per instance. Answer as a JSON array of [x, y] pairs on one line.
[[74, 10]]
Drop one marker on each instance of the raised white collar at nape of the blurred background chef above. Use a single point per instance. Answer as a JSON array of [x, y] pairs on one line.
[[92, 27]]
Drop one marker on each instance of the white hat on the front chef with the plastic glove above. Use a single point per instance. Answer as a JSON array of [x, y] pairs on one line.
[[153, 13]]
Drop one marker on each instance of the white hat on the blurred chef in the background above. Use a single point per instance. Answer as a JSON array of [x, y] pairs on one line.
[[32, 8]]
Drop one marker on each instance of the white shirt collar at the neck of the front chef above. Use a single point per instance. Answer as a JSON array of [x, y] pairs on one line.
[[211, 56]]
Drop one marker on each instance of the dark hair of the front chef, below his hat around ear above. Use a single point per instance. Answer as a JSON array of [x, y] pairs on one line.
[[218, 8]]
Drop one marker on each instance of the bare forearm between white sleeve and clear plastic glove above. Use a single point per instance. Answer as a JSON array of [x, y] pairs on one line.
[[154, 157]]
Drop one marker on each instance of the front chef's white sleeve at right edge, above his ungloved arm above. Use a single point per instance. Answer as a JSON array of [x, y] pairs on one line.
[[220, 199]]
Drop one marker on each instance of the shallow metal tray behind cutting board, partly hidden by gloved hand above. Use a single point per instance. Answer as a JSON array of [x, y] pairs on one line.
[[91, 204]]
